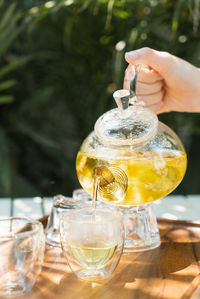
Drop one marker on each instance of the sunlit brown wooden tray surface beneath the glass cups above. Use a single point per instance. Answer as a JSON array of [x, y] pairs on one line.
[[170, 271]]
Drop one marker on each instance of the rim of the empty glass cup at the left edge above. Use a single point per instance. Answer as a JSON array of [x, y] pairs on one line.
[[37, 226]]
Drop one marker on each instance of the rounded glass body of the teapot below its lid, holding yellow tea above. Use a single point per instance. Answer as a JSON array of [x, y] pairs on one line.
[[145, 170]]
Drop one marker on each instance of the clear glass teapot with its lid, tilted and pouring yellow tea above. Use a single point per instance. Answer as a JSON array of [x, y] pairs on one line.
[[138, 158]]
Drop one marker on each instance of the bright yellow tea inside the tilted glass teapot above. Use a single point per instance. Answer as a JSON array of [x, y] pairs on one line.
[[150, 176]]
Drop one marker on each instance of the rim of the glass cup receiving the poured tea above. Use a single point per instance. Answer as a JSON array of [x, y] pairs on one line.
[[115, 214]]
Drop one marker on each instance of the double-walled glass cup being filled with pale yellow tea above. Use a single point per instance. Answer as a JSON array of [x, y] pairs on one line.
[[92, 241]]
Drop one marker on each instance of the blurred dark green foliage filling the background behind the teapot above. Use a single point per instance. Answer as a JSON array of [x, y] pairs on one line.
[[60, 62]]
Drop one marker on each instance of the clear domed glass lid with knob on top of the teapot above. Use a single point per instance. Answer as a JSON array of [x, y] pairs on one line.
[[126, 125]]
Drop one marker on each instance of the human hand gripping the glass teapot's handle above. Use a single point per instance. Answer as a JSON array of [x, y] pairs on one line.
[[165, 82]]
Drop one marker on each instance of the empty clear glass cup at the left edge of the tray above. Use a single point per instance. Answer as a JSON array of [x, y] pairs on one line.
[[21, 254]]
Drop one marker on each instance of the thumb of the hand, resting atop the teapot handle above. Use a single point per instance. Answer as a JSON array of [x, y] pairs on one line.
[[159, 61]]
